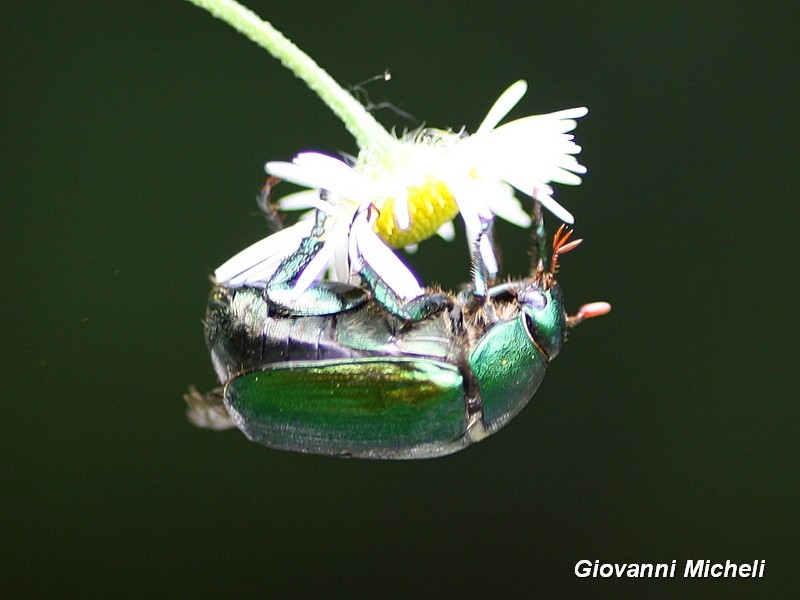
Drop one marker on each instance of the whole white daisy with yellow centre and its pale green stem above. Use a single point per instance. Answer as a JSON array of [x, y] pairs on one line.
[[418, 183]]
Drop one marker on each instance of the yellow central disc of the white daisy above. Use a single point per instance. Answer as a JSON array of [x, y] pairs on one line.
[[430, 206]]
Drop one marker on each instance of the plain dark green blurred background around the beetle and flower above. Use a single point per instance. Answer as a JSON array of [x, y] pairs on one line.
[[134, 135]]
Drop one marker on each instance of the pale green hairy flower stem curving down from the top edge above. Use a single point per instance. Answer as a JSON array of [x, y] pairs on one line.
[[368, 133]]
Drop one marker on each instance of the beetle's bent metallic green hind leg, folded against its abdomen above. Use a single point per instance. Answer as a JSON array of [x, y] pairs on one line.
[[320, 298]]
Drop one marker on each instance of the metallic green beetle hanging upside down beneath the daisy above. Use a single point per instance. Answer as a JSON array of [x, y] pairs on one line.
[[351, 372]]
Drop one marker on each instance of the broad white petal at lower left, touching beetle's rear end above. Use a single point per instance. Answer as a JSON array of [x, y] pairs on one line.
[[248, 266]]
